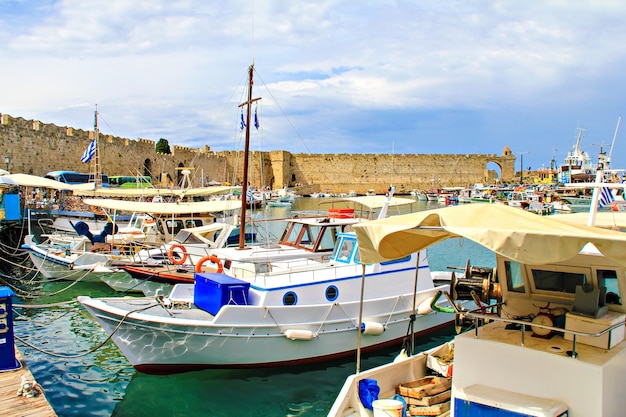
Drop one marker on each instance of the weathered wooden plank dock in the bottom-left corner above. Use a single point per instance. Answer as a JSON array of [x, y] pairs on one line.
[[13, 405]]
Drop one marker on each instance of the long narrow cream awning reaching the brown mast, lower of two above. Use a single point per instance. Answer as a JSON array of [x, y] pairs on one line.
[[165, 208]]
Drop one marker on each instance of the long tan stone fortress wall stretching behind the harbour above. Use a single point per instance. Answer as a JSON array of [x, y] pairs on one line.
[[36, 148]]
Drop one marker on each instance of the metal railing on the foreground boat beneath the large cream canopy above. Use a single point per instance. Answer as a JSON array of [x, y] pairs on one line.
[[478, 316]]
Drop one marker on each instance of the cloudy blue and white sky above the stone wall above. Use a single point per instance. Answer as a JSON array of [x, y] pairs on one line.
[[334, 76]]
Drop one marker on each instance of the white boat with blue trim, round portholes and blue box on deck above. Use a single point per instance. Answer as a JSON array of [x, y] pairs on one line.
[[308, 312]]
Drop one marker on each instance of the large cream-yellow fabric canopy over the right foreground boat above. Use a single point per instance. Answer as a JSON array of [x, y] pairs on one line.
[[508, 231]]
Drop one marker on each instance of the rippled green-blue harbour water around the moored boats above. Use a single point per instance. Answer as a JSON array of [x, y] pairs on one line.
[[84, 377]]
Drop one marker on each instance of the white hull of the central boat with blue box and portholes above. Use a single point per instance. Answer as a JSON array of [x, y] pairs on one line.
[[251, 336]]
